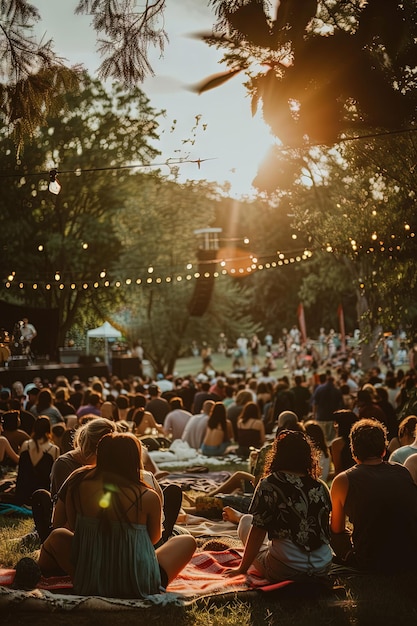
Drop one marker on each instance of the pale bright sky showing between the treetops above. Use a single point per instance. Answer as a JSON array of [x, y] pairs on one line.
[[233, 142]]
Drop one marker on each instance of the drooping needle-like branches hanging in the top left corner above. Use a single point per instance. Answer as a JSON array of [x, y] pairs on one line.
[[34, 80]]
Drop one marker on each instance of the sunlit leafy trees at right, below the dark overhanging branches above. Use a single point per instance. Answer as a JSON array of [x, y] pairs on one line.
[[357, 205]]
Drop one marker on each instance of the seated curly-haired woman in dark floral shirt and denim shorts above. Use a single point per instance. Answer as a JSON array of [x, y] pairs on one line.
[[291, 505]]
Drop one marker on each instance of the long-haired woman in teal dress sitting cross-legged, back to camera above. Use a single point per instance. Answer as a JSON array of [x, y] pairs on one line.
[[114, 520]]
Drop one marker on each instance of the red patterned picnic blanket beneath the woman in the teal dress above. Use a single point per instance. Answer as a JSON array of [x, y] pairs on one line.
[[202, 577]]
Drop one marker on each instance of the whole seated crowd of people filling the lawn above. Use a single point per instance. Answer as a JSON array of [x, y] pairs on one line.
[[332, 470]]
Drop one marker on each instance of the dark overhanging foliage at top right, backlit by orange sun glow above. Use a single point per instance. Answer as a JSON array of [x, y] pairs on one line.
[[322, 56]]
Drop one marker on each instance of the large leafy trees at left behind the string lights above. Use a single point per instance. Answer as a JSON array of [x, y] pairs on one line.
[[114, 243]]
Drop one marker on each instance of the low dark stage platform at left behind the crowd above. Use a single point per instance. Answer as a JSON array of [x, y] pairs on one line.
[[50, 371]]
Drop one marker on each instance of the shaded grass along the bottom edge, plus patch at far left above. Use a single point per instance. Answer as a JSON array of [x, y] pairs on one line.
[[361, 601]]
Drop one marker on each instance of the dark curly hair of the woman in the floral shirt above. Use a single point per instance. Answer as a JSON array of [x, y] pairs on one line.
[[293, 451]]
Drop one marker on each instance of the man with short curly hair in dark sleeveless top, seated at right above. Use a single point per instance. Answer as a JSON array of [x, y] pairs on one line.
[[380, 500]]
